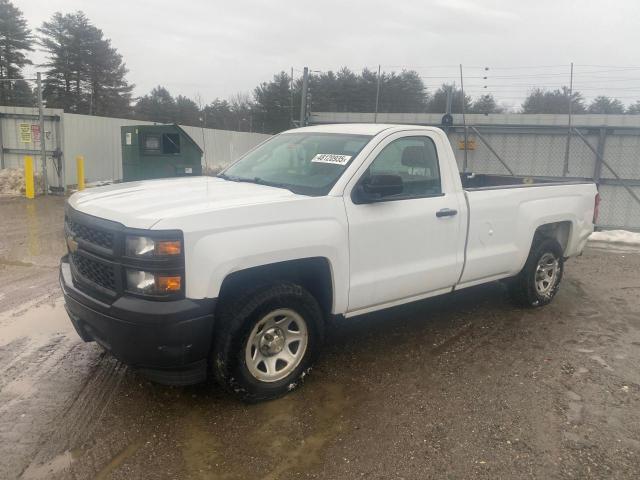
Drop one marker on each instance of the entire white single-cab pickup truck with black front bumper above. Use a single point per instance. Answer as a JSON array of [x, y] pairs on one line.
[[237, 275]]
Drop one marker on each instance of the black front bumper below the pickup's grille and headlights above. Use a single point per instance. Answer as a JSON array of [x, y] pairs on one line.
[[167, 341]]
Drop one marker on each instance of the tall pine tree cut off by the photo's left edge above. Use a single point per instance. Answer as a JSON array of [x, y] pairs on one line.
[[15, 42]]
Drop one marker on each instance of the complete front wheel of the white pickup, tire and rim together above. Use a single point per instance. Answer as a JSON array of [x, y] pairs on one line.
[[267, 341]]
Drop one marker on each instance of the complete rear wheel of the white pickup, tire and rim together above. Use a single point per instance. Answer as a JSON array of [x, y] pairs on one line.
[[539, 280]]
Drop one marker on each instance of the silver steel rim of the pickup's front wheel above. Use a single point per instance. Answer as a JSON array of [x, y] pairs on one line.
[[276, 345]]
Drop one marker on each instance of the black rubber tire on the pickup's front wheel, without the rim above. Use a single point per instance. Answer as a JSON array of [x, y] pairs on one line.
[[236, 319]]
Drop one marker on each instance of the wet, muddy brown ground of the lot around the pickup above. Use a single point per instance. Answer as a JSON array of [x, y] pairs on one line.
[[463, 386]]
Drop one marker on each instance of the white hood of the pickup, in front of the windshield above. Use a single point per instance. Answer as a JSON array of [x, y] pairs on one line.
[[143, 204]]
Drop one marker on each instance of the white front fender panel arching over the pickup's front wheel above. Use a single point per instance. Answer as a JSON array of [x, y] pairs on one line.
[[227, 242]]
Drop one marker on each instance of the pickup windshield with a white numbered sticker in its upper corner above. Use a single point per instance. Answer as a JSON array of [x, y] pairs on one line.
[[306, 162]]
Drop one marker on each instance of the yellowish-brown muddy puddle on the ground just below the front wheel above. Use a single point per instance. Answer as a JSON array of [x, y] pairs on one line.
[[288, 435]]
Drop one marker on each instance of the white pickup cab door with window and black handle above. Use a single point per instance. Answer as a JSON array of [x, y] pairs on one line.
[[405, 245]]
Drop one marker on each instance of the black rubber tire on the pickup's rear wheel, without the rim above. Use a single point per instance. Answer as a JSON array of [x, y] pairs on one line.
[[522, 288]]
